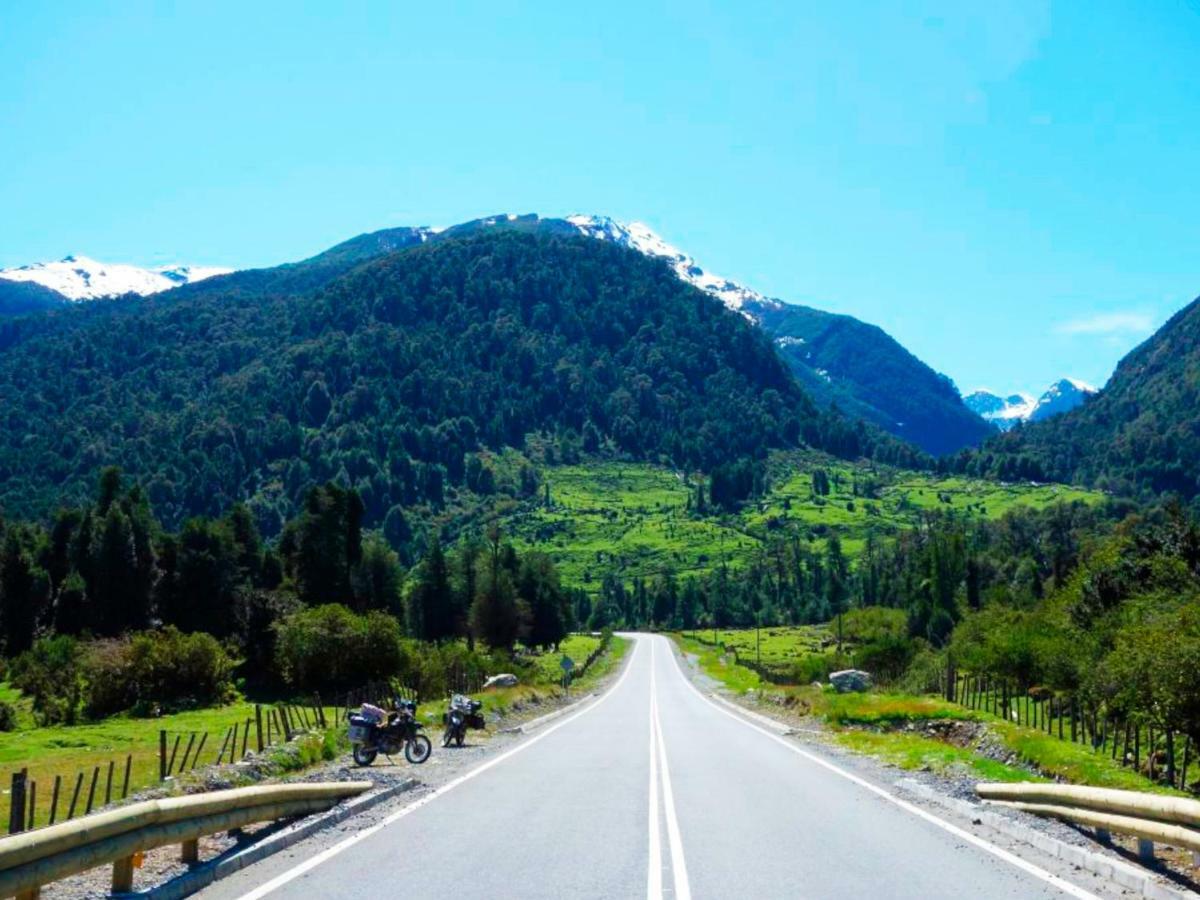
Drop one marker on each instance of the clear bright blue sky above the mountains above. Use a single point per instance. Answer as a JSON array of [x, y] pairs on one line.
[[1010, 189]]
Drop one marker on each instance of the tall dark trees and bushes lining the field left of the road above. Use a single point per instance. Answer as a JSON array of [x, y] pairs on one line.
[[107, 611]]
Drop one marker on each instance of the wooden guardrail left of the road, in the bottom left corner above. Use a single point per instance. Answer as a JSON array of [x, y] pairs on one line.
[[31, 860]]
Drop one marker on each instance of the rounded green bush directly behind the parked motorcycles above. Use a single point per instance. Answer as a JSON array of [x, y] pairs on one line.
[[332, 649]]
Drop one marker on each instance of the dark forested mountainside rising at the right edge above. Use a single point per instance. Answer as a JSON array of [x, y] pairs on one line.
[[1139, 436]]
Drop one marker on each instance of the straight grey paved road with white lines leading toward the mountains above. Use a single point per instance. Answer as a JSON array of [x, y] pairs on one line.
[[657, 791]]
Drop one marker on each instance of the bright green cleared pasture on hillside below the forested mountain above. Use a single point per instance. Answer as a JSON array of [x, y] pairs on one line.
[[633, 519]]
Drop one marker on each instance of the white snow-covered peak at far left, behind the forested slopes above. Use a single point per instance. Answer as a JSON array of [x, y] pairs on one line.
[[82, 279]]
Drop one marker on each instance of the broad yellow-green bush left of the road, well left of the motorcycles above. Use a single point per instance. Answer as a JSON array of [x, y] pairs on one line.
[[151, 671]]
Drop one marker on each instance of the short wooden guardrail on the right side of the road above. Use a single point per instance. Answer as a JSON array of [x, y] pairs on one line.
[[1150, 818]]
